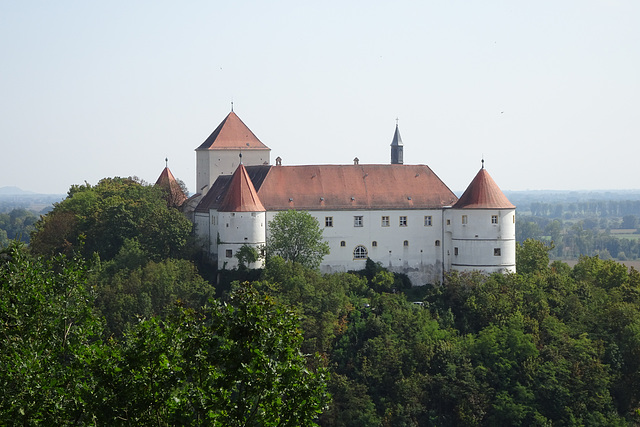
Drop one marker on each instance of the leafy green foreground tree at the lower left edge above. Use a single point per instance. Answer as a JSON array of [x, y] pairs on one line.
[[47, 325]]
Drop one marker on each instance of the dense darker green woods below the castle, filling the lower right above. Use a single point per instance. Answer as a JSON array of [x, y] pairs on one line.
[[550, 345]]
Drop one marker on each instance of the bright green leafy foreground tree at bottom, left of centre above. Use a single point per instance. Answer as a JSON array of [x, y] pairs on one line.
[[234, 364]]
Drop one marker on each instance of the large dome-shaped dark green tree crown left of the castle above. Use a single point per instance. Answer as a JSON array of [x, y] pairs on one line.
[[99, 219]]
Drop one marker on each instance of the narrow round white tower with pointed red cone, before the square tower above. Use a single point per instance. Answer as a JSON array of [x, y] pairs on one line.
[[241, 221]]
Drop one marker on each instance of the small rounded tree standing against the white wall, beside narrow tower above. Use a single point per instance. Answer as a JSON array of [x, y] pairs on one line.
[[296, 236]]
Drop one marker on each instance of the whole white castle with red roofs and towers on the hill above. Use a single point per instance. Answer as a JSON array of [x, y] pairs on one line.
[[400, 215]]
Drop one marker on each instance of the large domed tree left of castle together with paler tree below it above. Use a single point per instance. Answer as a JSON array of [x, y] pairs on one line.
[[137, 244]]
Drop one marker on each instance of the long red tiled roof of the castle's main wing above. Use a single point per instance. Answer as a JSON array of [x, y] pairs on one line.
[[343, 187]]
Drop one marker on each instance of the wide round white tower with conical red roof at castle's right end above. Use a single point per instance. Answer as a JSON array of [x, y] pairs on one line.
[[483, 228]]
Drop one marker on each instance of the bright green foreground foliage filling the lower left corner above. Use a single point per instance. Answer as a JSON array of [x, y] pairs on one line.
[[231, 363]]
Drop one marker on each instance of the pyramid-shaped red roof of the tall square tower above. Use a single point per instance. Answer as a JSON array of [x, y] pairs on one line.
[[232, 134]]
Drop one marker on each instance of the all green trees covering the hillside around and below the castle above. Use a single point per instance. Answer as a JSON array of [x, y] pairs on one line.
[[102, 323]]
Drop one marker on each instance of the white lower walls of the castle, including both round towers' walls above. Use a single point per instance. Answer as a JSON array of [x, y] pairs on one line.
[[423, 244]]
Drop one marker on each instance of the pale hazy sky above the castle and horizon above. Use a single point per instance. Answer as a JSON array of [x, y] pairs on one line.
[[547, 91]]
